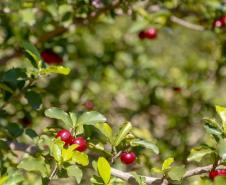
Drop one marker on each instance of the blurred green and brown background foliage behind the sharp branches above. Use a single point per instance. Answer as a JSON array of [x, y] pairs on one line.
[[163, 86]]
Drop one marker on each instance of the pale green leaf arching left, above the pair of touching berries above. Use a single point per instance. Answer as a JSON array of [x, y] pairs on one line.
[[59, 114]]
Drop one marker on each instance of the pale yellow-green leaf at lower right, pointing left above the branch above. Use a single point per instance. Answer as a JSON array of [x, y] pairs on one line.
[[198, 153]]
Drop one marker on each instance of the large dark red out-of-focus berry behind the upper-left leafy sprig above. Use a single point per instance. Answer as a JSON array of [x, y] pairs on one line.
[[51, 57]]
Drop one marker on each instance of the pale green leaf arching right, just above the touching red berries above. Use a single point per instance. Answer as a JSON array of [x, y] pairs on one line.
[[91, 118]]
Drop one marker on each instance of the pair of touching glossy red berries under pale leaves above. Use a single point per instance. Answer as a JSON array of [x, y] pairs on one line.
[[66, 136]]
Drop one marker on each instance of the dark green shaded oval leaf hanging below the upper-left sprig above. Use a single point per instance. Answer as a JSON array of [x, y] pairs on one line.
[[34, 99]]
